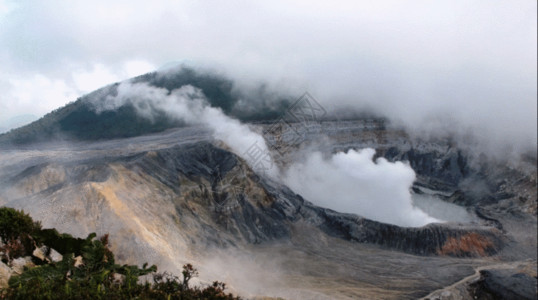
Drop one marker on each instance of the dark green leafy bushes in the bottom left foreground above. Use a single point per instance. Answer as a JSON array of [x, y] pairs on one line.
[[87, 269]]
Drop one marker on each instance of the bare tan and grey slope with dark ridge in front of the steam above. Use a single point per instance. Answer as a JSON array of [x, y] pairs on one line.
[[197, 202]]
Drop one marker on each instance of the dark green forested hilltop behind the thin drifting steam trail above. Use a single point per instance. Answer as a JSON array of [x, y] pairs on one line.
[[80, 121]]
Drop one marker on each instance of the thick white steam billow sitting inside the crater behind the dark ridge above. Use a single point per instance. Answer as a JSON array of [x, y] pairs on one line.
[[353, 183]]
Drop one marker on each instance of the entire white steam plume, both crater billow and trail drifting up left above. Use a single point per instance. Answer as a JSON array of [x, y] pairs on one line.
[[347, 182]]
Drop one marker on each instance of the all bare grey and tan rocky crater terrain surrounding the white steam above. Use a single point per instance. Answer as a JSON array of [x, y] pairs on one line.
[[180, 196]]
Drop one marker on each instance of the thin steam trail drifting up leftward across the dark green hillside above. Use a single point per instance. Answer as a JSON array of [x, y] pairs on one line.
[[187, 104]]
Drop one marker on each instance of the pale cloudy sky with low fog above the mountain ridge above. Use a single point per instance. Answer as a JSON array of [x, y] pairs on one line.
[[469, 66]]
